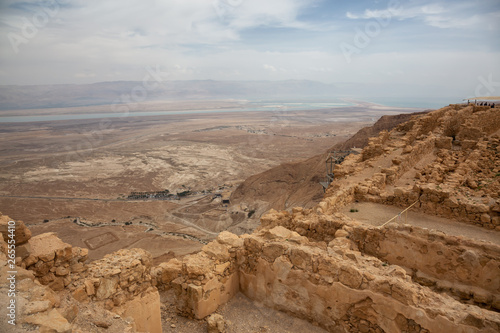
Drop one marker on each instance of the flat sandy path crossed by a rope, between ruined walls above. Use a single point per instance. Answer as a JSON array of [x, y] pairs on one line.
[[378, 214]]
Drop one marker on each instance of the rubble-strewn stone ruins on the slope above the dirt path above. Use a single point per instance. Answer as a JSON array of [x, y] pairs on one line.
[[462, 180]]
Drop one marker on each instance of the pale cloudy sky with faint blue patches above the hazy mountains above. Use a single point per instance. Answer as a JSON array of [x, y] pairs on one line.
[[441, 47]]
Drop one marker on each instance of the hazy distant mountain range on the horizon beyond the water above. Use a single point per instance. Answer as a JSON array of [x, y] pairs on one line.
[[14, 97]]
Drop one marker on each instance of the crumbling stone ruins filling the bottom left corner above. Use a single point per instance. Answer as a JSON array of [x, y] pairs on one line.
[[53, 282]]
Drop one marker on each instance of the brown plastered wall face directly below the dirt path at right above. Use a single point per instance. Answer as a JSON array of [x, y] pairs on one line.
[[468, 270]]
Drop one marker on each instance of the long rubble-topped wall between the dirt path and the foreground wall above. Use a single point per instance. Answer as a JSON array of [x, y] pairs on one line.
[[468, 270]]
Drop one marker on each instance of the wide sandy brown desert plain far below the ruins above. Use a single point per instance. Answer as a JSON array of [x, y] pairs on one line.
[[65, 170]]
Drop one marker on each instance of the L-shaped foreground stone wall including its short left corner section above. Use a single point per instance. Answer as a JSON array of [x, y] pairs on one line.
[[338, 288]]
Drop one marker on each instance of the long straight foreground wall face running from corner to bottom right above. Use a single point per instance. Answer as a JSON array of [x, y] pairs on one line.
[[341, 289]]
